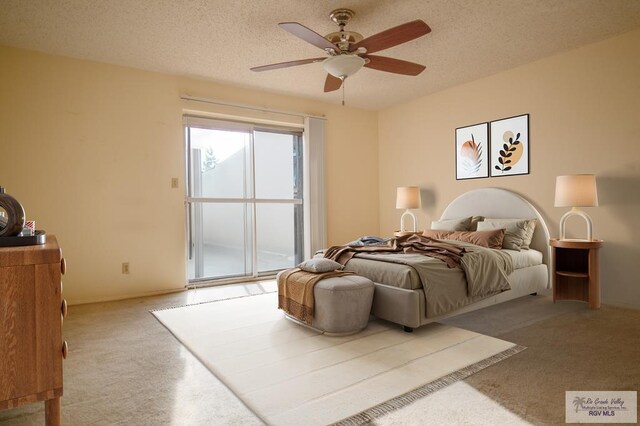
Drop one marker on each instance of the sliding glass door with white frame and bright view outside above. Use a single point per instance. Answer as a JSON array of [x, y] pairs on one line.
[[245, 210]]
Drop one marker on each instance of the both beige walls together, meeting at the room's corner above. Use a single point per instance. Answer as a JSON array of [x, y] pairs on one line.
[[90, 149]]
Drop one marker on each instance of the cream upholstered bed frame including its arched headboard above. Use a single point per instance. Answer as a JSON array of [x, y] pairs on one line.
[[407, 307]]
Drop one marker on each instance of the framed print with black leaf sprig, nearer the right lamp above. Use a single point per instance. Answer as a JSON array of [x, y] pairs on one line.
[[510, 146]]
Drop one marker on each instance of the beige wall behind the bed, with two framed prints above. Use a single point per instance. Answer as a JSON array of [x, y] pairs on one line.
[[584, 108]]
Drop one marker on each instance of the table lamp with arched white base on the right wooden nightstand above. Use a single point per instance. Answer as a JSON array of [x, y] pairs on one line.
[[576, 191]]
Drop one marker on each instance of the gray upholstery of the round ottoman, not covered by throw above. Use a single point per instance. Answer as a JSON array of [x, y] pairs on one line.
[[342, 304]]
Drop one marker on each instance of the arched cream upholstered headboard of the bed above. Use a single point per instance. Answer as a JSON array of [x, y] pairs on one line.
[[501, 203]]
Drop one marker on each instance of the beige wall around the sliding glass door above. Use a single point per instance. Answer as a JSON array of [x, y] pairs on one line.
[[90, 149]]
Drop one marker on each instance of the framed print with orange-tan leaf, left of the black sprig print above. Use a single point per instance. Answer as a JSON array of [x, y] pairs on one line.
[[472, 151]]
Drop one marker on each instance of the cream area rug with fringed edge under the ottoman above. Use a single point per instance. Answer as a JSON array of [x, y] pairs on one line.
[[291, 375]]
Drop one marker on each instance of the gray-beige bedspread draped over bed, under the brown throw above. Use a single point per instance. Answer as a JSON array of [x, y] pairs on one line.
[[483, 273]]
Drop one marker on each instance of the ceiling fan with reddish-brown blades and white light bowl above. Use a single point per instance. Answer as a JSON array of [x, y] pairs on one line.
[[348, 51]]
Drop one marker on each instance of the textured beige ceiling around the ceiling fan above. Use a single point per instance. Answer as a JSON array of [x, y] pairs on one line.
[[220, 40]]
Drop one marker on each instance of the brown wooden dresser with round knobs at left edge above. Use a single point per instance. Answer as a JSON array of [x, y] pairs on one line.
[[31, 314]]
